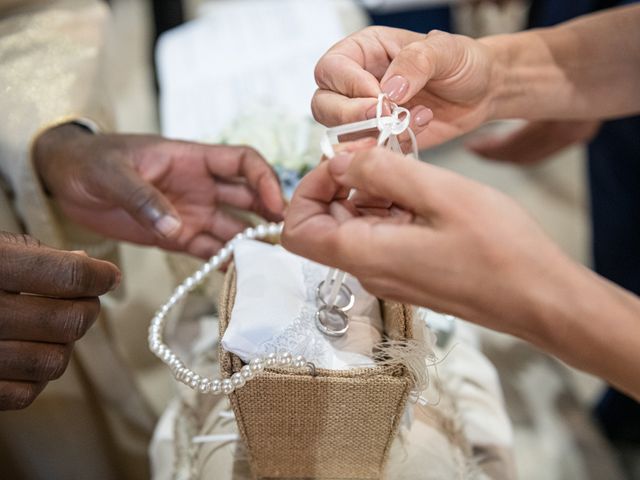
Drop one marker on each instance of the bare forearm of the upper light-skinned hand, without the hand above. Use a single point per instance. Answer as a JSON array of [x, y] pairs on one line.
[[588, 68]]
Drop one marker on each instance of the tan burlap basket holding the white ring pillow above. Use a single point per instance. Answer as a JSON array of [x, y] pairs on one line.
[[336, 425]]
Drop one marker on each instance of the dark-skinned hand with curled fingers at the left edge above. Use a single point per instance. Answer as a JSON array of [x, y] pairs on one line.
[[48, 300]]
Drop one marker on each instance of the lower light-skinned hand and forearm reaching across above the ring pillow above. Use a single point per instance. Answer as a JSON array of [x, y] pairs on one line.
[[459, 247]]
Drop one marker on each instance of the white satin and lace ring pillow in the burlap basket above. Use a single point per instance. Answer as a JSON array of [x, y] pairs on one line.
[[275, 307]]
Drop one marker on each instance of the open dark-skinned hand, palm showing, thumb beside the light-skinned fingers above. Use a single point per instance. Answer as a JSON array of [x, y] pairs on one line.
[[153, 191]]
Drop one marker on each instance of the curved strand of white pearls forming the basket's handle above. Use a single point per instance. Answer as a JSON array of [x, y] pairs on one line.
[[187, 376]]
